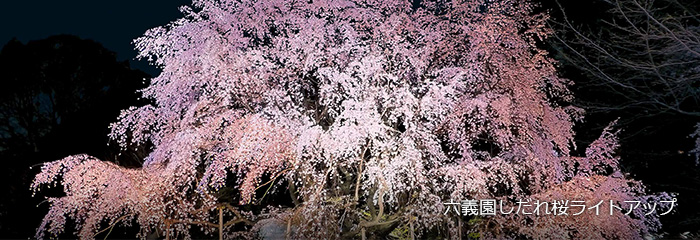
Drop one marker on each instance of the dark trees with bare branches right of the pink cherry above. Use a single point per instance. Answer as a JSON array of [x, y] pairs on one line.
[[639, 61]]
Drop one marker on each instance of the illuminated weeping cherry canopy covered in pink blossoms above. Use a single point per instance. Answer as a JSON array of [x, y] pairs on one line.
[[373, 113]]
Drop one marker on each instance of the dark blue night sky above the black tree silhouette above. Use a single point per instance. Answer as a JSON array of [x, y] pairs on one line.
[[113, 23]]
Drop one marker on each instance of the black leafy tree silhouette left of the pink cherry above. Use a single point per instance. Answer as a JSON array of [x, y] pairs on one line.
[[57, 97]]
